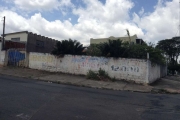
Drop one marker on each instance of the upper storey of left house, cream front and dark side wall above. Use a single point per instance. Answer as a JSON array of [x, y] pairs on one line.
[[32, 41]]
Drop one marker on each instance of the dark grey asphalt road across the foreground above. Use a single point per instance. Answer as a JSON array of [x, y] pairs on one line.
[[25, 99]]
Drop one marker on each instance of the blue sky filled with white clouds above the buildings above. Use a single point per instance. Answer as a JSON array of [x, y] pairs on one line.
[[151, 20]]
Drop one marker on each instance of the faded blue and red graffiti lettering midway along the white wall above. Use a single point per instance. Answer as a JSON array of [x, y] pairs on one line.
[[90, 62]]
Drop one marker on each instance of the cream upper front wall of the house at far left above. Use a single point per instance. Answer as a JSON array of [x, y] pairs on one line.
[[22, 36]]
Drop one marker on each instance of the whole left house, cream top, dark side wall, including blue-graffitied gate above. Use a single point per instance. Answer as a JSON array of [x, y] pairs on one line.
[[18, 45]]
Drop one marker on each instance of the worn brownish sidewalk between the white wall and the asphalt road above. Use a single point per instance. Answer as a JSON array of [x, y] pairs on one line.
[[165, 85]]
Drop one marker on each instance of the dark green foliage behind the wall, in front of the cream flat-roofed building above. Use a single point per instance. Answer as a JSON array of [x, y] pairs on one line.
[[117, 48]]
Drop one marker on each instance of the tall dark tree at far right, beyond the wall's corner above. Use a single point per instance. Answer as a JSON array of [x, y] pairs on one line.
[[171, 48]]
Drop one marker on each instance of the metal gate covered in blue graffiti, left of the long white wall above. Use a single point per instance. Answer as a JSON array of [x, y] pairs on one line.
[[16, 58]]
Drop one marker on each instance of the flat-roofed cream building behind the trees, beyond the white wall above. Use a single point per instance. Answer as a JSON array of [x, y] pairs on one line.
[[133, 39]]
